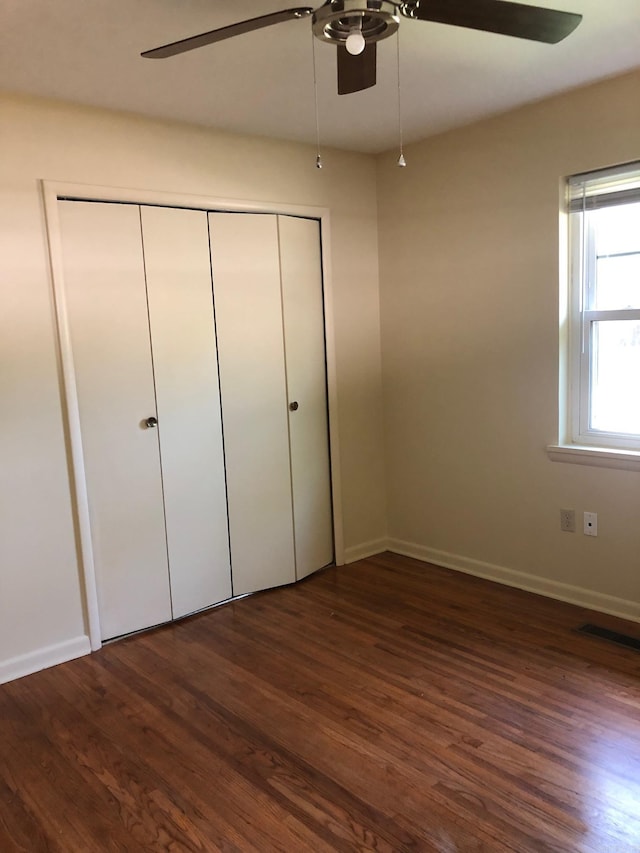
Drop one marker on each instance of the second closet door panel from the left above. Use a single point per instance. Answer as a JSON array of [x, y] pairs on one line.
[[176, 250]]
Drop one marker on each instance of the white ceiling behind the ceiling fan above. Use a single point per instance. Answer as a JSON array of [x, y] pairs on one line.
[[88, 51]]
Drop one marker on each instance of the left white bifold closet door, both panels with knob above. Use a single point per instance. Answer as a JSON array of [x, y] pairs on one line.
[[139, 305]]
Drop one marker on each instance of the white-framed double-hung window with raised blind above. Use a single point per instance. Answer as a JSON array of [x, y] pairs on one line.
[[604, 308]]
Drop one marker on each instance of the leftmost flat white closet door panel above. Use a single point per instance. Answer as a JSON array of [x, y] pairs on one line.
[[107, 311]]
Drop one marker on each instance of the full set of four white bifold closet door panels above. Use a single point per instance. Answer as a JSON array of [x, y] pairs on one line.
[[198, 353]]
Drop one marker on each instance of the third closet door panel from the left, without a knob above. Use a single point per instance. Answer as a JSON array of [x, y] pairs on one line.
[[248, 309]]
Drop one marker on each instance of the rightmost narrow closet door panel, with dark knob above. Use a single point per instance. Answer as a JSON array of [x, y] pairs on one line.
[[303, 312]]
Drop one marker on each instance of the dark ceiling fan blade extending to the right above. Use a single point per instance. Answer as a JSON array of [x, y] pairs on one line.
[[496, 16]]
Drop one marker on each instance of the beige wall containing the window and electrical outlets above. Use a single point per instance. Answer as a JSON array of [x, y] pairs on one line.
[[469, 244]]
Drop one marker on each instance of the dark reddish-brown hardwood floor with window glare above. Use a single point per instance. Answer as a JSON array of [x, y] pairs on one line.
[[387, 705]]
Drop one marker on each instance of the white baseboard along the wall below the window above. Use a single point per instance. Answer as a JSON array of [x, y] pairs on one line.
[[531, 583]]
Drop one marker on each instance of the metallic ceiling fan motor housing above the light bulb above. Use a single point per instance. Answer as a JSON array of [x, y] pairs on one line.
[[377, 19]]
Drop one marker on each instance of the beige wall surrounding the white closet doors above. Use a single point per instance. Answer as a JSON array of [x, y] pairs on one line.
[[40, 592]]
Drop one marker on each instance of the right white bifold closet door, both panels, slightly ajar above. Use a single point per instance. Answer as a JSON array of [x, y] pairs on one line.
[[270, 325]]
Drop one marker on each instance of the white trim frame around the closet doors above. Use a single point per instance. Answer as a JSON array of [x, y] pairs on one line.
[[52, 192]]
